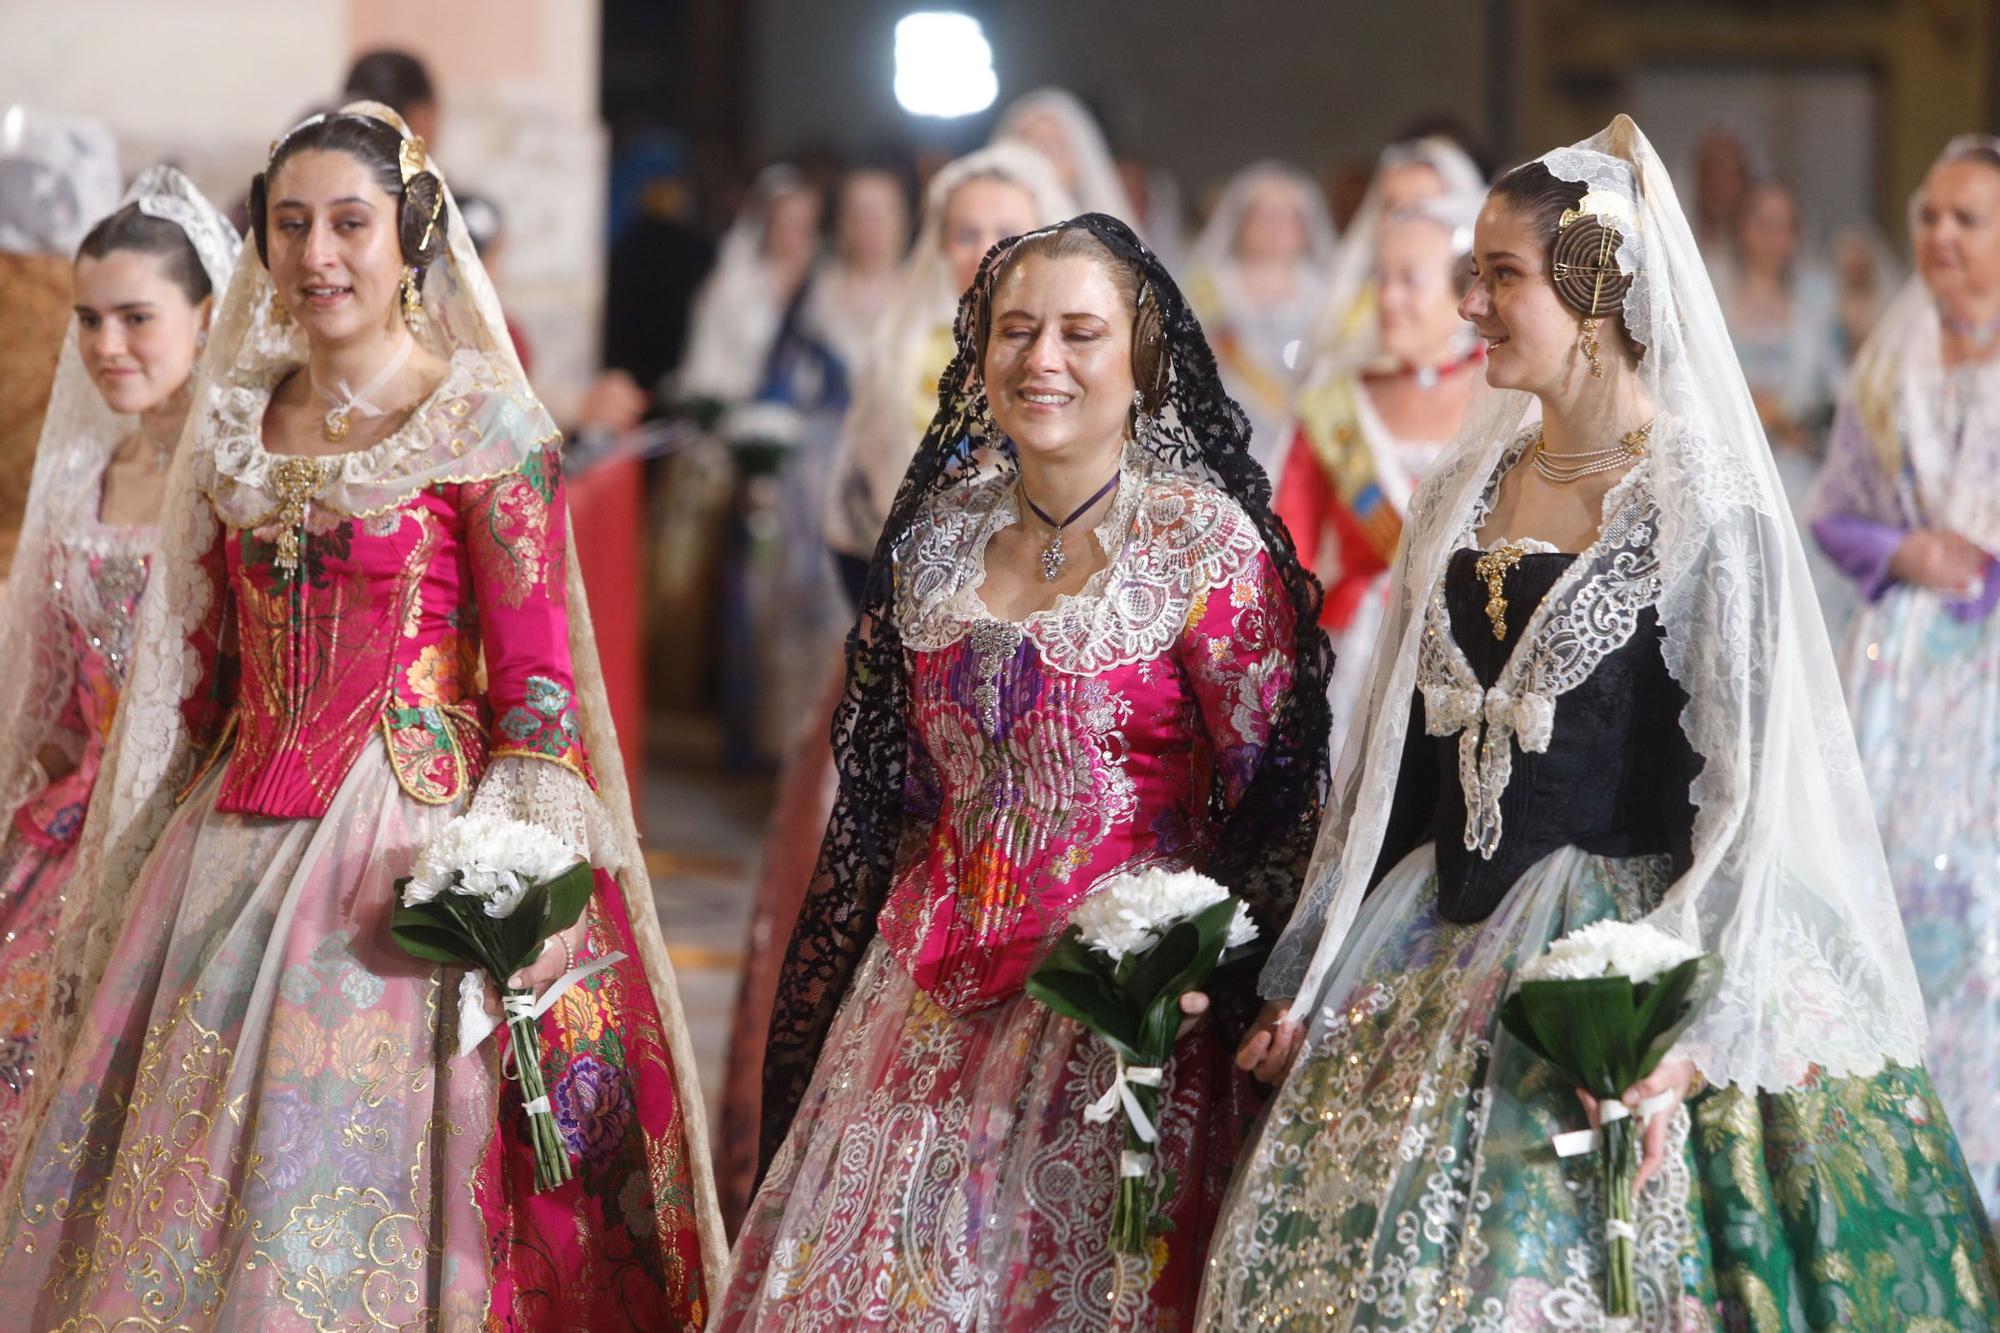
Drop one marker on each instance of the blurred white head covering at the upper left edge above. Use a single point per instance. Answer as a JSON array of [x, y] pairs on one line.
[[59, 175]]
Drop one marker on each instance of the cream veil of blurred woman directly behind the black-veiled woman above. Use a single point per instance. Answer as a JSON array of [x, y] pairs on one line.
[[881, 431]]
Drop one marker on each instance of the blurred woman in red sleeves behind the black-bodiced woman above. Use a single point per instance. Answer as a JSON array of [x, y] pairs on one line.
[[1373, 419]]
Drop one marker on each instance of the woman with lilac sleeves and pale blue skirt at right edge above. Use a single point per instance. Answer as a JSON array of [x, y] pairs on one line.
[[1909, 507]]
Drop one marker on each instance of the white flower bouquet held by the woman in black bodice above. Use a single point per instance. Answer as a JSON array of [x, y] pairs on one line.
[[1605, 1006]]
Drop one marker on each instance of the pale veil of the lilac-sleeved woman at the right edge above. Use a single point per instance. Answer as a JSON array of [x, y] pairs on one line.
[[1915, 473]]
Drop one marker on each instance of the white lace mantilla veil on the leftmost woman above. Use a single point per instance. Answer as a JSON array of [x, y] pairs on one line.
[[79, 439]]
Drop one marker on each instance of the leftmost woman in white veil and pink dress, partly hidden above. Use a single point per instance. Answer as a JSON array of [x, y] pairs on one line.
[[145, 287]]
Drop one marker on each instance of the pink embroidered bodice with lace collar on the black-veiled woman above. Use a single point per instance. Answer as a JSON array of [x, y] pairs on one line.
[[1089, 738]]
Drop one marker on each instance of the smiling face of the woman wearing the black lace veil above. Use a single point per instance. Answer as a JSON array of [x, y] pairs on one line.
[[1059, 357]]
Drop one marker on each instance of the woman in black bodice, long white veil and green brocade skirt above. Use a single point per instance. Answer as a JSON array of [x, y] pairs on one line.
[[1645, 730]]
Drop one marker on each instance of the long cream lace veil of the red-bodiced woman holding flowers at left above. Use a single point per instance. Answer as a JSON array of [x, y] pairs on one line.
[[151, 754]]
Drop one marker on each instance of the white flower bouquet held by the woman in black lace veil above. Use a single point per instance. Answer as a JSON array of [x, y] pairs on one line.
[[1133, 950]]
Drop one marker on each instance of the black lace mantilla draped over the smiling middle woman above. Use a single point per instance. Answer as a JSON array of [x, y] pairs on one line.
[[1265, 842]]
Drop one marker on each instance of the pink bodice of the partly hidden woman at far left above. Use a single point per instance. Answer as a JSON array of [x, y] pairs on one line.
[[97, 579]]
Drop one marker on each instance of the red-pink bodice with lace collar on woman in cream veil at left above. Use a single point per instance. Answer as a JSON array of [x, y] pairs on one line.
[[359, 593]]
